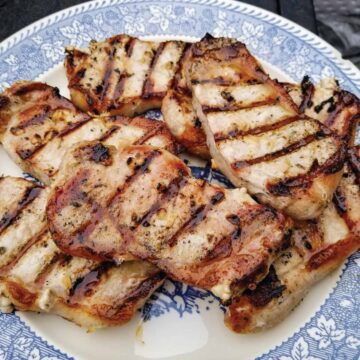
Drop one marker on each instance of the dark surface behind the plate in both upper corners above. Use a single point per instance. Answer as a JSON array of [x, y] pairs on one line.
[[337, 21]]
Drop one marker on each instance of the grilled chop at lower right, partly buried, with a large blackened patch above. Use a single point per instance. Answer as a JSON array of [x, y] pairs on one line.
[[319, 247]]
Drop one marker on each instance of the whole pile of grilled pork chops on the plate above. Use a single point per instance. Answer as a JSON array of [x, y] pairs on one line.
[[118, 211]]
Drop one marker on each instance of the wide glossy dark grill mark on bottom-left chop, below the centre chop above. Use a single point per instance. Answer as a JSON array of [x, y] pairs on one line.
[[86, 286]]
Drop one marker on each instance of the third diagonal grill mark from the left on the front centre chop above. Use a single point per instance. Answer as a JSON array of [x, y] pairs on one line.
[[197, 216]]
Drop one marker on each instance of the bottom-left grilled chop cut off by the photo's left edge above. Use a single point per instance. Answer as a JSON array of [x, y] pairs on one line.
[[36, 276]]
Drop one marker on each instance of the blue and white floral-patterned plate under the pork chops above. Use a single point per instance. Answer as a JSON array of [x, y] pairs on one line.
[[181, 322]]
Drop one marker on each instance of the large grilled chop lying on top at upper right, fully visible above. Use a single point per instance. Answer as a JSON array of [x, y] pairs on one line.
[[256, 134]]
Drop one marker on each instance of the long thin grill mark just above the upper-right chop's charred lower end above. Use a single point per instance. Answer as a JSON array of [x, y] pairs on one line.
[[284, 151]]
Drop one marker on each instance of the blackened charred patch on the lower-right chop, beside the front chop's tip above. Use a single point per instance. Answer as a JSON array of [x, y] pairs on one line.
[[268, 289]]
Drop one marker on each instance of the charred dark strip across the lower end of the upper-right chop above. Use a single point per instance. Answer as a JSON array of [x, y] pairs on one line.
[[332, 165]]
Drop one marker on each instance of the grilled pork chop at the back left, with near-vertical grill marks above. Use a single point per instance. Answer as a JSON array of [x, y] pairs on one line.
[[122, 75]]
